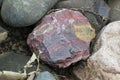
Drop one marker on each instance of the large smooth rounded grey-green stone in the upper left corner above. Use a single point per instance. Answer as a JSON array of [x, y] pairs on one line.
[[20, 13]]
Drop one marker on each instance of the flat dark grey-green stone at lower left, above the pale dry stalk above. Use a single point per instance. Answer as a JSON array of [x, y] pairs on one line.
[[11, 61]]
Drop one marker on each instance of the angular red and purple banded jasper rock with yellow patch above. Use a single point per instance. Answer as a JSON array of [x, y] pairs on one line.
[[62, 38]]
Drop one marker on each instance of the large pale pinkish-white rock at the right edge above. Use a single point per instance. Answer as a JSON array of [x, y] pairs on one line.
[[104, 64]]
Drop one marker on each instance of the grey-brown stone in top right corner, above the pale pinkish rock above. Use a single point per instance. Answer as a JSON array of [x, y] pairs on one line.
[[115, 9]]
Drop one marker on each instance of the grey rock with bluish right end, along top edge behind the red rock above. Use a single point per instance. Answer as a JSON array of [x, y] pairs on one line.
[[96, 6]]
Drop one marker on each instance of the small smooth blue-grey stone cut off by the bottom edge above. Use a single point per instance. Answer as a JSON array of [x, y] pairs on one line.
[[45, 76]]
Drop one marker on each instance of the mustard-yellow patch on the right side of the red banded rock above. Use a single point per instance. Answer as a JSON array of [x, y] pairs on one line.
[[84, 32]]
